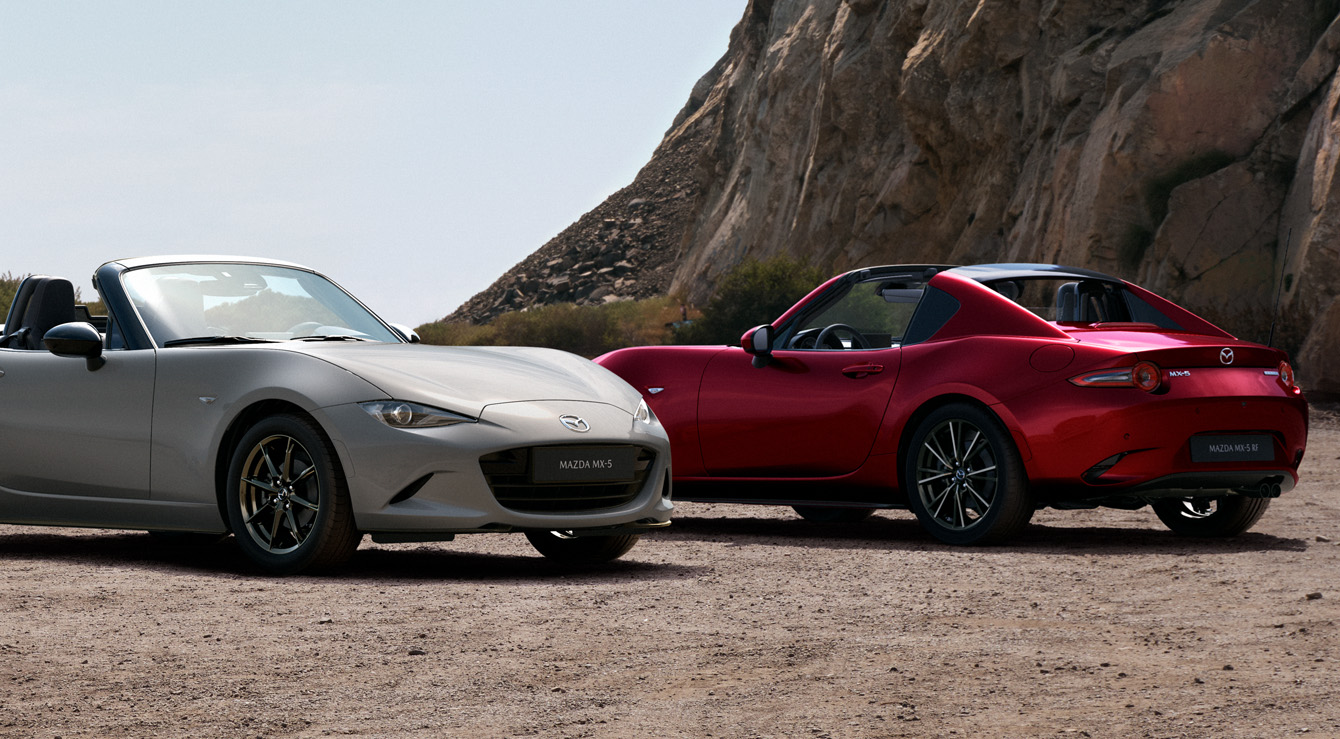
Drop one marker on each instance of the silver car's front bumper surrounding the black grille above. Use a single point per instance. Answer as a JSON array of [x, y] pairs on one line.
[[427, 485]]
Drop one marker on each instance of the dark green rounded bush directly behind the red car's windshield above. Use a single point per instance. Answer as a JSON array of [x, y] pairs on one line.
[[751, 294]]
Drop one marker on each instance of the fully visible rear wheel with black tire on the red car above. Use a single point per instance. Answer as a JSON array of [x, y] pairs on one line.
[[965, 479]]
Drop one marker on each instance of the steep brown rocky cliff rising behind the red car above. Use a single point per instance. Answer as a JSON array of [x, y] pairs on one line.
[[1188, 146]]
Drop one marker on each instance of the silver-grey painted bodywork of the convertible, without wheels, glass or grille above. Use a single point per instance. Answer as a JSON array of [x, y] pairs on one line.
[[144, 441]]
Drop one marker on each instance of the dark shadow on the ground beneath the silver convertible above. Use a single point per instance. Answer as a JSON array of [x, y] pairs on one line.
[[401, 563]]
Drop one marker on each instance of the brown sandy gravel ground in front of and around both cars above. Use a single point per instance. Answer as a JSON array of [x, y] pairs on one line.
[[739, 622]]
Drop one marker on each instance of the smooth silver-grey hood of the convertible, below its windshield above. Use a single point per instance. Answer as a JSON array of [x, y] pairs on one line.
[[468, 379]]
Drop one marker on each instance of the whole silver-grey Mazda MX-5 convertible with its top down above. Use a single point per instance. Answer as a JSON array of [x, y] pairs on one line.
[[257, 398]]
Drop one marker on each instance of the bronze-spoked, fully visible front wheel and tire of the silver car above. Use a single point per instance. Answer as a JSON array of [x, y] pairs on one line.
[[287, 500]]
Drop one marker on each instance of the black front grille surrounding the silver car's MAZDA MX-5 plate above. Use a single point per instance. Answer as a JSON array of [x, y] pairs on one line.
[[509, 474]]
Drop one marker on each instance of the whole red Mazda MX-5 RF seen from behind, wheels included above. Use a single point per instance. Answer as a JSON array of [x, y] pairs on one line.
[[978, 395]]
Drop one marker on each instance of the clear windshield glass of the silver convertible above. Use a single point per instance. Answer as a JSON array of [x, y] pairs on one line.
[[195, 304]]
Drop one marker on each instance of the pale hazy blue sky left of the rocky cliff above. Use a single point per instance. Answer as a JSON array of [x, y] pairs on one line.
[[411, 151]]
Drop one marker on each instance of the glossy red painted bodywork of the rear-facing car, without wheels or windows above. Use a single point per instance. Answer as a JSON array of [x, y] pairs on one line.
[[834, 426]]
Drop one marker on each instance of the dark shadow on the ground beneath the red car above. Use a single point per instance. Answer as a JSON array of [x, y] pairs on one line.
[[905, 534]]
